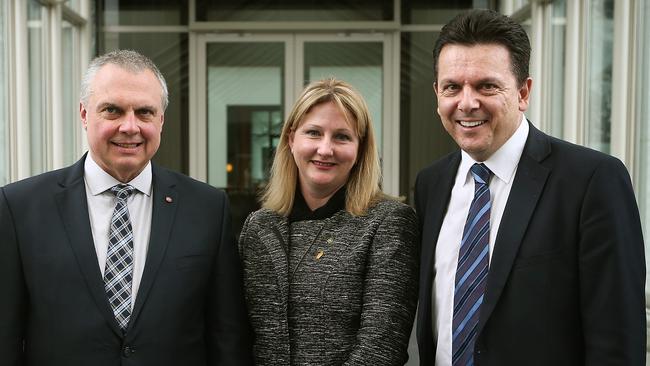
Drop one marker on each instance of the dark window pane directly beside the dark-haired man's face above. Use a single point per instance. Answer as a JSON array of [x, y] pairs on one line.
[[422, 137]]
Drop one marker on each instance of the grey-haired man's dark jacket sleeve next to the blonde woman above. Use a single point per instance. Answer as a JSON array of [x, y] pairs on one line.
[[230, 336]]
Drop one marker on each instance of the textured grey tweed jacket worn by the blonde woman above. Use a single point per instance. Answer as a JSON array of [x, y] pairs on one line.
[[350, 300]]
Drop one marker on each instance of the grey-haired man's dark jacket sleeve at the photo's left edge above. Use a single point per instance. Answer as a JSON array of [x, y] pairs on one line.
[[13, 301]]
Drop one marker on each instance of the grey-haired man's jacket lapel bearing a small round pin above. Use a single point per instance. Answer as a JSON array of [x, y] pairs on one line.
[[165, 202]]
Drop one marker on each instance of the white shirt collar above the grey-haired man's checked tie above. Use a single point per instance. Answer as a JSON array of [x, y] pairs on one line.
[[98, 181]]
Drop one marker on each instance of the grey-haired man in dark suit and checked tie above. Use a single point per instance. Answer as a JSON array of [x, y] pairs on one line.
[[114, 260]]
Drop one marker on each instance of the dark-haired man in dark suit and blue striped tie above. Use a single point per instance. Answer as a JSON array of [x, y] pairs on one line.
[[532, 252]]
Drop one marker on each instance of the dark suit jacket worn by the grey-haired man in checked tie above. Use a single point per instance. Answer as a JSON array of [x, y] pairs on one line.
[[53, 309]]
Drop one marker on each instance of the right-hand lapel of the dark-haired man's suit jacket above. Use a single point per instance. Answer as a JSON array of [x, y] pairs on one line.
[[526, 190]]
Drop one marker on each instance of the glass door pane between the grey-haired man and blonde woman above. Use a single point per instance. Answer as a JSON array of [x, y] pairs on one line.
[[245, 114]]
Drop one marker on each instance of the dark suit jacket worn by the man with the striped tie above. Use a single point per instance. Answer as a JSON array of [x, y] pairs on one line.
[[566, 279]]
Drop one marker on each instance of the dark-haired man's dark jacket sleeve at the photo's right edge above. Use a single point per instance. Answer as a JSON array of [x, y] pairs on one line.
[[612, 270]]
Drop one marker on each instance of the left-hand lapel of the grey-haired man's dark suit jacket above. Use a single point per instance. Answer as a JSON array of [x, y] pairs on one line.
[[73, 209]]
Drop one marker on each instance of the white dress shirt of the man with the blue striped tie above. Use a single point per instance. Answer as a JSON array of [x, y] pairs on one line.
[[503, 163]]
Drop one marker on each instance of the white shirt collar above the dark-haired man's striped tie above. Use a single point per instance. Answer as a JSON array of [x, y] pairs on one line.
[[503, 163]]
